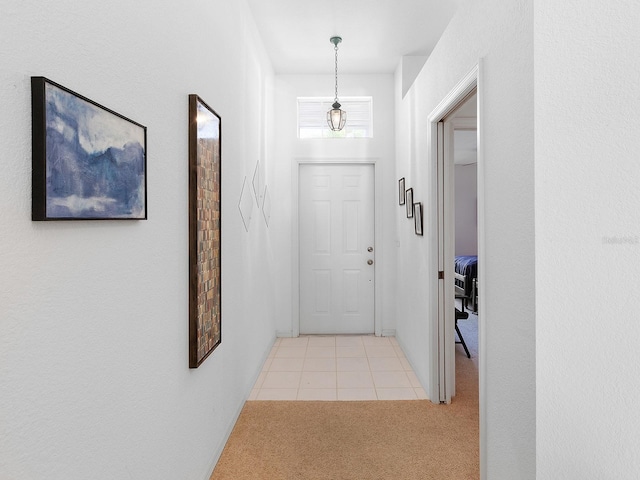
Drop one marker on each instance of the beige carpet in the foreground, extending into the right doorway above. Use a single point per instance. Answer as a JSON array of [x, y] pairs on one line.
[[400, 440]]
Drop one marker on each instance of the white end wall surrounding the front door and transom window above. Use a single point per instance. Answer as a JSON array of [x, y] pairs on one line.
[[290, 151]]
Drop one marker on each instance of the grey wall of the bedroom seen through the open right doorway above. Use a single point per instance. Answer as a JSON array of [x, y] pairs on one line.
[[466, 198]]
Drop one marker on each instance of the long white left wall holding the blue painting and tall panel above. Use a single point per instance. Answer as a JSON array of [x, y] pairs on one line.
[[94, 315]]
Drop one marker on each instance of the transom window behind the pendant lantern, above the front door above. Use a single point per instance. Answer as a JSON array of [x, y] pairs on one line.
[[312, 117]]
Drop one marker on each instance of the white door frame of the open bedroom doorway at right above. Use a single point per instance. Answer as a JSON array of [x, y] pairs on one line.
[[442, 346]]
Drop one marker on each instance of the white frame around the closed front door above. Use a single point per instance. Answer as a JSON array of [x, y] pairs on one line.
[[295, 239]]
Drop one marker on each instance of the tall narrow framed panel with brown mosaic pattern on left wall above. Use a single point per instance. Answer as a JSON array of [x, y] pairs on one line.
[[205, 248]]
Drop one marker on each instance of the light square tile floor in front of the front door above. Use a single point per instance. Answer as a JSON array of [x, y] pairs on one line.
[[346, 367]]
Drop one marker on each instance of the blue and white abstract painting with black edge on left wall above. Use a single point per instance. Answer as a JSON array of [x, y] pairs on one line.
[[89, 162]]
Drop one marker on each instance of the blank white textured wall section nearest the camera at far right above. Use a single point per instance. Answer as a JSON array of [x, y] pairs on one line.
[[587, 120]]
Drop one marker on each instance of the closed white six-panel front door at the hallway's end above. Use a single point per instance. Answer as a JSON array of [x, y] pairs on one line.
[[337, 251]]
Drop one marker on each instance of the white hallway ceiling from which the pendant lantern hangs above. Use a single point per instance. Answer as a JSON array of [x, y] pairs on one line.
[[375, 33]]
